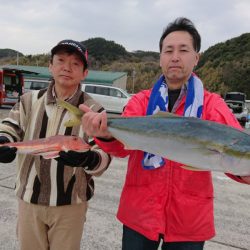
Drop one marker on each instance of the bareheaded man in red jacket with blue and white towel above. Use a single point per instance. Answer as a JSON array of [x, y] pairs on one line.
[[160, 199]]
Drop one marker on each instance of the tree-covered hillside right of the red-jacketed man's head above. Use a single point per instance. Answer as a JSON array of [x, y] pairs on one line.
[[226, 66]]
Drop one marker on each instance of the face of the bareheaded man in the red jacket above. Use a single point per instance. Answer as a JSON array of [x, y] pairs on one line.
[[178, 58]]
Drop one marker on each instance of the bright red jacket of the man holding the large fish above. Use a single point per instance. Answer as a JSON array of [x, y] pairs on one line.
[[169, 201]]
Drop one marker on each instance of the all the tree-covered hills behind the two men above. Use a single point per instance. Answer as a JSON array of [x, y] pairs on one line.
[[223, 67]]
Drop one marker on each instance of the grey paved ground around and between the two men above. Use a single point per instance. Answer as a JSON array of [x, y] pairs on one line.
[[102, 231]]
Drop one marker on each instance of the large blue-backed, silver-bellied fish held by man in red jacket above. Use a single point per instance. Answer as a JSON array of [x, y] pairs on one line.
[[196, 143]]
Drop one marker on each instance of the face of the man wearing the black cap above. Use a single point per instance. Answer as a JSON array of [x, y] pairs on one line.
[[67, 69]]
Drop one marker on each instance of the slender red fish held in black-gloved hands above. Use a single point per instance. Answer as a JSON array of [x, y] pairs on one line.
[[51, 146]]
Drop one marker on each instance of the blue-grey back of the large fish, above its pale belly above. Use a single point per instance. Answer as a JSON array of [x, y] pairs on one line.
[[185, 127]]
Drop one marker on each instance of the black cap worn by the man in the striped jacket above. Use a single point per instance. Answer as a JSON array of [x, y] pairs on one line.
[[78, 47]]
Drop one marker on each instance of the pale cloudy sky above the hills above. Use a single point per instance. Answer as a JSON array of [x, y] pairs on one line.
[[34, 27]]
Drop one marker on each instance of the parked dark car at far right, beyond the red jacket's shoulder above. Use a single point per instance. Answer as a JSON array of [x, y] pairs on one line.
[[236, 101]]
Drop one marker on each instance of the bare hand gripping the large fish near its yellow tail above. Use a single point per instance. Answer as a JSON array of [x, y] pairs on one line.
[[95, 124]]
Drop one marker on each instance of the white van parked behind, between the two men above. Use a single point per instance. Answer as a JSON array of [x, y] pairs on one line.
[[113, 99]]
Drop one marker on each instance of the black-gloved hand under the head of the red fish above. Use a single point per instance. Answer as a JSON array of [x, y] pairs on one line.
[[87, 160]]
